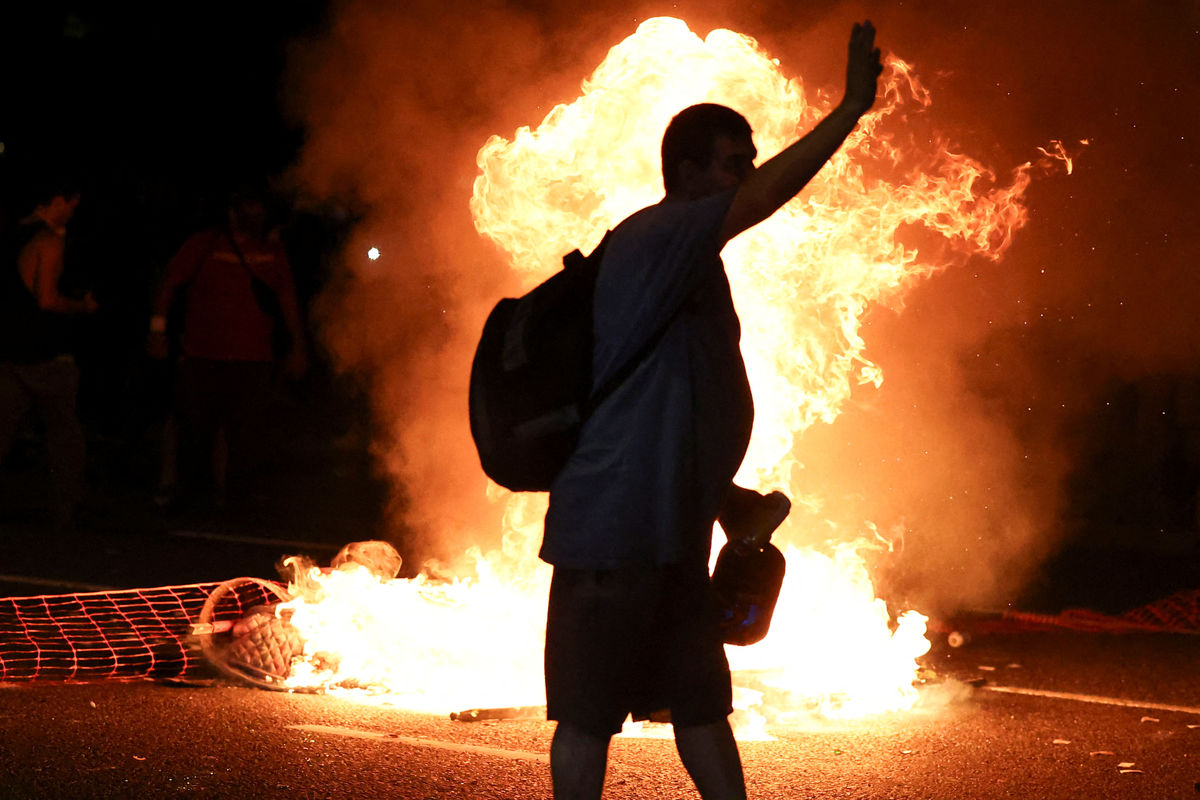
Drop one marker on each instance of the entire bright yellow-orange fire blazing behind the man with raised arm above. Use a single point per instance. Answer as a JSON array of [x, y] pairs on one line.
[[801, 281]]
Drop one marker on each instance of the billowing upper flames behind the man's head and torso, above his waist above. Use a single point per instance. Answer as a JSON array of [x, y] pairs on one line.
[[803, 279]]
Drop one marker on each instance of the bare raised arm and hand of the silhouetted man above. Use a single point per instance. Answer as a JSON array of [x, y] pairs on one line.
[[777, 182]]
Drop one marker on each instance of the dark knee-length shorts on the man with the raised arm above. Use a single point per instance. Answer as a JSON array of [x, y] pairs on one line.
[[635, 641]]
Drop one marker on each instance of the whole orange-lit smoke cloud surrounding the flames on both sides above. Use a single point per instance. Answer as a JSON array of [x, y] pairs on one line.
[[994, 371]]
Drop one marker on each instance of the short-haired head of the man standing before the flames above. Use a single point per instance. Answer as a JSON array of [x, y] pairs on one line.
[[706, 151]]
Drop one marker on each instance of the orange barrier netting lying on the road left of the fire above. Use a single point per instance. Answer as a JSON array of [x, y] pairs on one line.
[[112, 635]]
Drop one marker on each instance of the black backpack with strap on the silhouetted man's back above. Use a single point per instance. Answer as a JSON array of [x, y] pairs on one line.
[[531, 382]]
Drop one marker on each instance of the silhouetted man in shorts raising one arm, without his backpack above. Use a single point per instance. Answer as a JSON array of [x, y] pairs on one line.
[[633, 621]]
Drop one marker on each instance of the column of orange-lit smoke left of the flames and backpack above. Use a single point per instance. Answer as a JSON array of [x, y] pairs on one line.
[[397, 99]]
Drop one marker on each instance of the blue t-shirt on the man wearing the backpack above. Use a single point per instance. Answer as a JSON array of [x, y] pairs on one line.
[[655, 461]]
